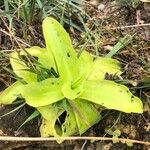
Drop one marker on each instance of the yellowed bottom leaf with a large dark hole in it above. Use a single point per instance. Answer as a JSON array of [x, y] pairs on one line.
[[52, 126]]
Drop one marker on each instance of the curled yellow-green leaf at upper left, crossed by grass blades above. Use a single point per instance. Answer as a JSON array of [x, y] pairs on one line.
[[21, 69]]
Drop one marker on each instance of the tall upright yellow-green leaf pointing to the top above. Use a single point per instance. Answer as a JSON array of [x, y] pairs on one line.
[[58, 44]]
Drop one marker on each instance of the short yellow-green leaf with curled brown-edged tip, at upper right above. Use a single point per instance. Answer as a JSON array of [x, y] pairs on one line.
[[103, 65]]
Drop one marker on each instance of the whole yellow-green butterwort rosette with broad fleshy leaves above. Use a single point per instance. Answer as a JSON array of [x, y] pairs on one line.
[[68, 89]]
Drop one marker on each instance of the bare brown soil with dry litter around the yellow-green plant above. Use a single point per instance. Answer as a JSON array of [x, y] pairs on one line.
[[134, 58]]
